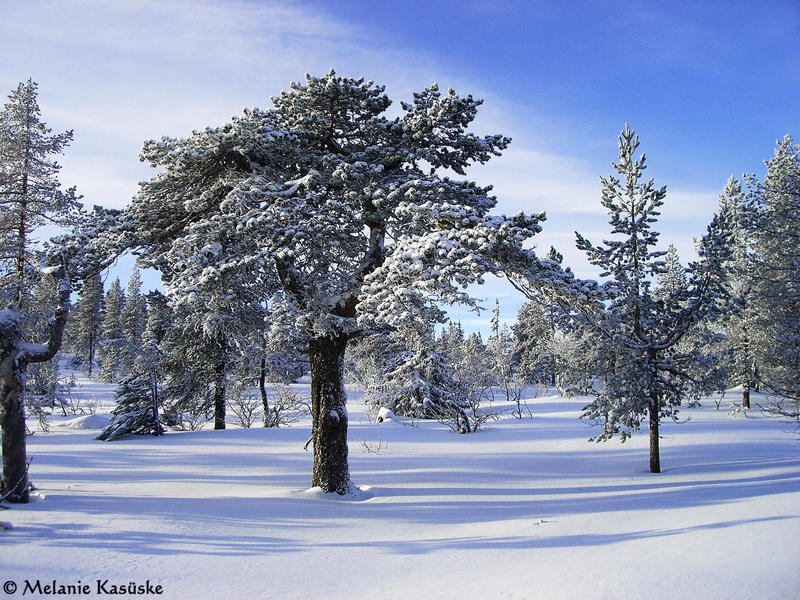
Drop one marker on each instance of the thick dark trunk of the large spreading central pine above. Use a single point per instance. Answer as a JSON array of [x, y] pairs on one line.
[[329, 414]]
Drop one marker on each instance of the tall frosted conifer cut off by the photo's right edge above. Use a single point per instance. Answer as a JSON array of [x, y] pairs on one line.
[[776, 268]]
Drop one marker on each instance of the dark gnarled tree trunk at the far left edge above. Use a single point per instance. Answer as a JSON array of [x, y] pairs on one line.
[[15, 468]]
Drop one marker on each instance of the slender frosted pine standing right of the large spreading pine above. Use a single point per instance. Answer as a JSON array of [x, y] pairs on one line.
[[637, 334]]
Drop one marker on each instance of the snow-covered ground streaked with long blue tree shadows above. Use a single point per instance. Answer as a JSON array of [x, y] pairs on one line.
[[525, 509]]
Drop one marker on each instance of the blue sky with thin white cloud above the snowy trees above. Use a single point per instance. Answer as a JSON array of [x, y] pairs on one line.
[[709, 86]]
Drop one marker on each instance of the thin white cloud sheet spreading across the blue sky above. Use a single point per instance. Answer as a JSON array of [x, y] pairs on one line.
[[125, 71]]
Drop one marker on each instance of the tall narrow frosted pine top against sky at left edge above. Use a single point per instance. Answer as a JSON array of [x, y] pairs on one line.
[[30, 193]]
